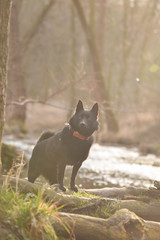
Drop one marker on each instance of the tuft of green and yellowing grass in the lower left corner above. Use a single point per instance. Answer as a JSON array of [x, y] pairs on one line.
[[30, 214]]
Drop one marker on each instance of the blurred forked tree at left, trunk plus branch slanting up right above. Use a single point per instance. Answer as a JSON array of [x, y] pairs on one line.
[[16, 80]]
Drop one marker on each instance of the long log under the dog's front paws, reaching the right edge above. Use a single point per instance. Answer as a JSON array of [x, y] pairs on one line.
[[99, 207]]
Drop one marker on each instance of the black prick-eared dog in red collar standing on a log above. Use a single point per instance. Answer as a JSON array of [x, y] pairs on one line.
[[69, 147]]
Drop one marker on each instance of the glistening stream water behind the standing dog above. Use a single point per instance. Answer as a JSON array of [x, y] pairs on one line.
[[107, 166]]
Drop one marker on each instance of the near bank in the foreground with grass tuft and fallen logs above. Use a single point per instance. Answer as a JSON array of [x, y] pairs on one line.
[[31, 211]]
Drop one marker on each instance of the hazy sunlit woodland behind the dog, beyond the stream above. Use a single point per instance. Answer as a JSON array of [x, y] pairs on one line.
[[105, 51]]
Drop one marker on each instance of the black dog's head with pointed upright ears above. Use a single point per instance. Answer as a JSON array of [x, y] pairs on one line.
[[85, 121]]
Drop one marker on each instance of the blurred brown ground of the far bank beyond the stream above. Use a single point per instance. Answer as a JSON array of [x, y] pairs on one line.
[[136, 129]]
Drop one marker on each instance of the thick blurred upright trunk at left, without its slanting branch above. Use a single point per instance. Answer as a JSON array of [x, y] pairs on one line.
[[16, 91]]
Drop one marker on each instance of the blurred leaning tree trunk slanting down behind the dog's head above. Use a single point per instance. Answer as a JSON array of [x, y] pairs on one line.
[[101, 91]]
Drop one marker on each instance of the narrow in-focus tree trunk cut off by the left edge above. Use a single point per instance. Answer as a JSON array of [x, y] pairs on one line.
[[5, 7]]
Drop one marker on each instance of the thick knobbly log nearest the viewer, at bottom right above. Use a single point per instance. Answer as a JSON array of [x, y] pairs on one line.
[[123, 225]]
